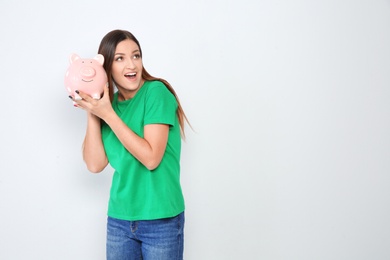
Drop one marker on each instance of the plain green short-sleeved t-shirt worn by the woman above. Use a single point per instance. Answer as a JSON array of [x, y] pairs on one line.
[[136, 192]]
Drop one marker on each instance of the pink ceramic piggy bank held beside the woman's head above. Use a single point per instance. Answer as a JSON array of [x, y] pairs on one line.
[[86, 75]]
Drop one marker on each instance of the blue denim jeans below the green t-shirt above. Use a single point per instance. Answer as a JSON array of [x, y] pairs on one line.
[[161, 239]]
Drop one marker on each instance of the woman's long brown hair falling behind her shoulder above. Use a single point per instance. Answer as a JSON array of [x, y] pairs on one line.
[[107, 49]]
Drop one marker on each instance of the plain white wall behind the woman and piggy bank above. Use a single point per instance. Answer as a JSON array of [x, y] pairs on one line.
[[290, 105]]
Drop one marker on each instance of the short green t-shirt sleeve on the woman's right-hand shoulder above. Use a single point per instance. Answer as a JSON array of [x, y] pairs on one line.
[[160, 105]]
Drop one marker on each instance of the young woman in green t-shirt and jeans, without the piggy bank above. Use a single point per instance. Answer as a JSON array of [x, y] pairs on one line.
[[137, 130]]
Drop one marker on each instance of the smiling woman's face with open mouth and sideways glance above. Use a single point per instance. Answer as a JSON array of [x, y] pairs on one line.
[[127, 68]]
